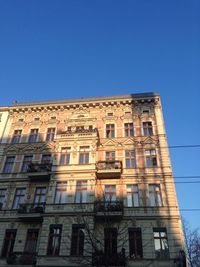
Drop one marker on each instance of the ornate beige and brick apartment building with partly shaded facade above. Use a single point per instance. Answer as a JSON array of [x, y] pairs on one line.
[[88, 181]]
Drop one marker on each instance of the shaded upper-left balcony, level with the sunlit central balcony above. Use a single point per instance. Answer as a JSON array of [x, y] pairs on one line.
[[39, 171]]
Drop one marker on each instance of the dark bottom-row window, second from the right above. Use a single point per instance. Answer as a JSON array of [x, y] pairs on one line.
[[135, 243]]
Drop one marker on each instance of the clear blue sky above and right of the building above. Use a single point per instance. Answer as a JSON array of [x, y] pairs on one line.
[[67, 49]]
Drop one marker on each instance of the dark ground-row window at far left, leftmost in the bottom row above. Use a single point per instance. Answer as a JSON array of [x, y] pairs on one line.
[[9, 242]]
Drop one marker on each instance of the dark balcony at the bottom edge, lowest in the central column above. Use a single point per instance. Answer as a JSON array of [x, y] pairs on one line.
[[104, 259]]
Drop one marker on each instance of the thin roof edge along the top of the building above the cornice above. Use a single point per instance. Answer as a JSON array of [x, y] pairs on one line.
[[89, 99]]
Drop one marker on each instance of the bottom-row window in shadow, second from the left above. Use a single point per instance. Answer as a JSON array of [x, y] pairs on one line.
[[31, 240]]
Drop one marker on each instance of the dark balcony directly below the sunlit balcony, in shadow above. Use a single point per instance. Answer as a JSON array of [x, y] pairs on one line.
[[108, 209]]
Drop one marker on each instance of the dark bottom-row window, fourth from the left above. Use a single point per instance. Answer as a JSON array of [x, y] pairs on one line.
[[77, 240]]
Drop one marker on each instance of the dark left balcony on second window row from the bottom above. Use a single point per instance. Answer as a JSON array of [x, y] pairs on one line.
[[31, 212]]
